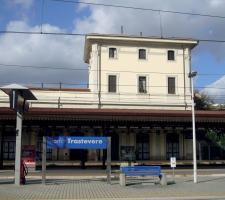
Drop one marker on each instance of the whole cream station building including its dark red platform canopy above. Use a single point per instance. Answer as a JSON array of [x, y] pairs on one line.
[[139, 94]]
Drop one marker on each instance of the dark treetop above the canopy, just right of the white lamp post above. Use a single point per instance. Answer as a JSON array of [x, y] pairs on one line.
[[202, 101]]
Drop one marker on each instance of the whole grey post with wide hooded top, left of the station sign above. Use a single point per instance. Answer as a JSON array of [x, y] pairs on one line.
[[18, 96]]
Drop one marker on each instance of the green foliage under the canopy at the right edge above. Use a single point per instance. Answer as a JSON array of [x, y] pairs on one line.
[[216, 137]]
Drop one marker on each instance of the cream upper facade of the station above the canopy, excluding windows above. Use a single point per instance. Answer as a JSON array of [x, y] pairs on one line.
[[127, 67]]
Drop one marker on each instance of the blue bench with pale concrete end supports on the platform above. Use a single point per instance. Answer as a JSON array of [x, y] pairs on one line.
[[142, 171]]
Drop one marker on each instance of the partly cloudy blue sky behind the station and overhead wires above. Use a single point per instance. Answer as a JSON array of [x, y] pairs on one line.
[[208, 59]]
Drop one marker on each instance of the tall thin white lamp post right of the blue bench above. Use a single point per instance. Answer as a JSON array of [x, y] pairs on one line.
[[191, 76]]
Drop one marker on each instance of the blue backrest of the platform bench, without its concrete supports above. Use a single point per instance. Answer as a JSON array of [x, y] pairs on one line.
[[133, 169]]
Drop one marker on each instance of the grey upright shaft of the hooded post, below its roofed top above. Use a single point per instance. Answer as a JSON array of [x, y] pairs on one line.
[[19, 119]]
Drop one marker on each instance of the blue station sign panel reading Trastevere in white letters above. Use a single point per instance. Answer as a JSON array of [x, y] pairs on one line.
[[68, 142]]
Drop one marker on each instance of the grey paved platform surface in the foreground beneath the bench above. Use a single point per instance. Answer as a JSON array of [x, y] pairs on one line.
[[94, 186]]
